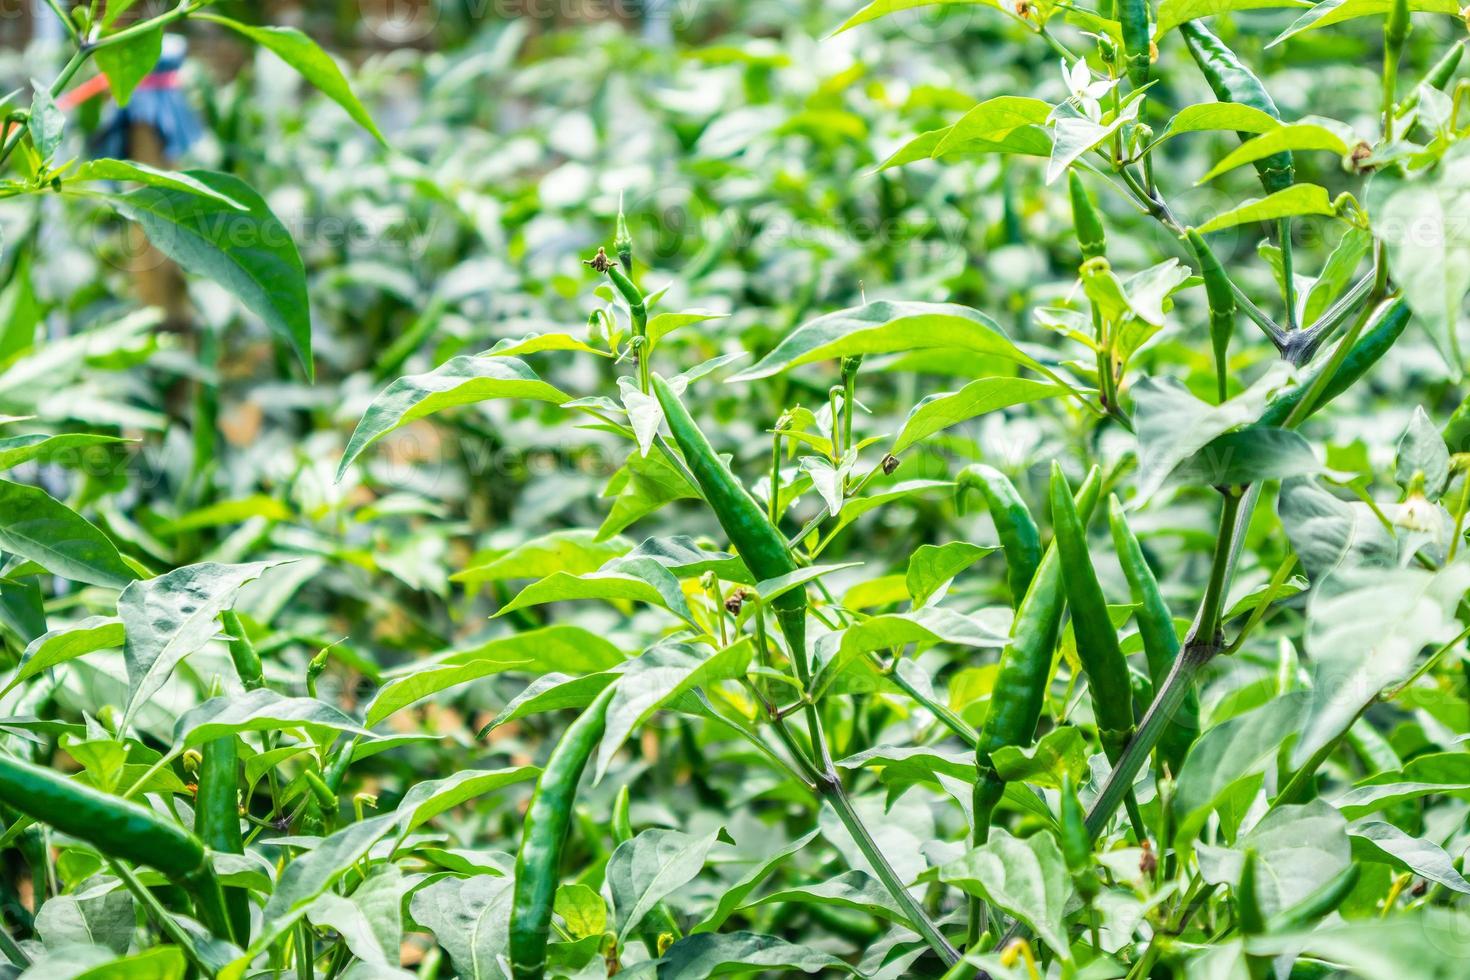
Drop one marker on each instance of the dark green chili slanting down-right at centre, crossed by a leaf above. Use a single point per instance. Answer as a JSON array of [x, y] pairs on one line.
[[761, 546]]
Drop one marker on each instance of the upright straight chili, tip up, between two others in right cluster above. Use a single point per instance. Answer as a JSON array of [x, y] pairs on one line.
[[1097, 641]]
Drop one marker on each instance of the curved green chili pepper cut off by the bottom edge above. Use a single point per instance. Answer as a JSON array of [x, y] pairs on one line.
[[539, 865]]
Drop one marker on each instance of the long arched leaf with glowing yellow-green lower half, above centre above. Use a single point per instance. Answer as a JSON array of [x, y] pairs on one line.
[[884, 328]]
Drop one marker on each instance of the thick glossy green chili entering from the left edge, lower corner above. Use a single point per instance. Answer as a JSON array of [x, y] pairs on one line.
[[120, 829]]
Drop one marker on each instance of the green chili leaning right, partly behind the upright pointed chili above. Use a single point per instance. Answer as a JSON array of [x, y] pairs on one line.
[[1025, 669]]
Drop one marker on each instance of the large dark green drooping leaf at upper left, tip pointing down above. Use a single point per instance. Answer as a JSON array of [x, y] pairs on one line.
[[234, 240]]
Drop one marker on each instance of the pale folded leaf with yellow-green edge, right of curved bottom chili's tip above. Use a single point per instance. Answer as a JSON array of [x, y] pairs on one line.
[[661, 677]]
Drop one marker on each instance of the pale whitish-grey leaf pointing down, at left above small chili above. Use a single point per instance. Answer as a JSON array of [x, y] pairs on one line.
[[173, 616]]
